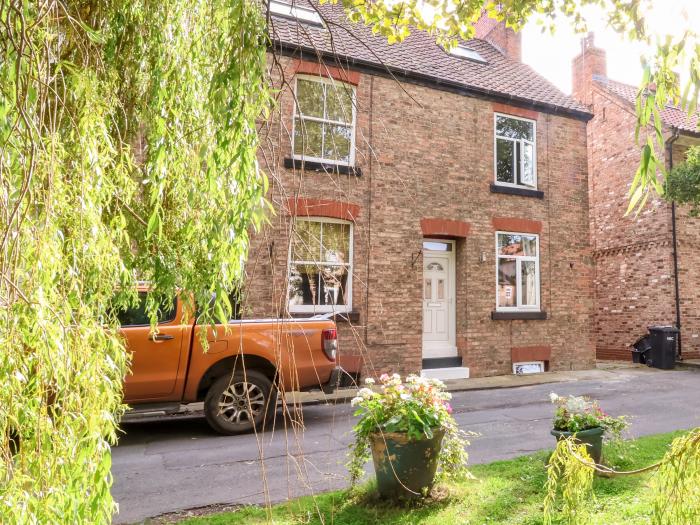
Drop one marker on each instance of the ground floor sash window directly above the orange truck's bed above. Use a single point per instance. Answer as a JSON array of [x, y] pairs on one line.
[[320, 266]]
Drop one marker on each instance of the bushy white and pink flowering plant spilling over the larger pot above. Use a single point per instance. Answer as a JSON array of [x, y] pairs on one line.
[[416, 407]]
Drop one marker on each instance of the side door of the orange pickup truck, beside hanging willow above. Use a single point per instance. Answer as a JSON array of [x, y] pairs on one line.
[[156, 357]]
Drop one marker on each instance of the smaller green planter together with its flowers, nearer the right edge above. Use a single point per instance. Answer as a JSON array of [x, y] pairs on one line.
[[585, 420]]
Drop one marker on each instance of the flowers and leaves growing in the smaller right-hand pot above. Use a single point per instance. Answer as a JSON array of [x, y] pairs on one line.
[[577, 413]]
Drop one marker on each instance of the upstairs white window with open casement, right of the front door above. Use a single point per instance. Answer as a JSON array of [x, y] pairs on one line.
[[515, 157]]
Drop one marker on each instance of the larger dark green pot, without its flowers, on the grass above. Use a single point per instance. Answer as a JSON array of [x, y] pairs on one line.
[[405, 468]]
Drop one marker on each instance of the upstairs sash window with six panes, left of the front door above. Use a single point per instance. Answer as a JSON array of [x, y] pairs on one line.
[[324, 121]]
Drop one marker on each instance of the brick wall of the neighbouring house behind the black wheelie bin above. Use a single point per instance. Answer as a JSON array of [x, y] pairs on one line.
[[634, 281]]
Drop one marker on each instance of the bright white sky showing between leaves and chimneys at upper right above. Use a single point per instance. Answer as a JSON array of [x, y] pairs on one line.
[[551, 55]]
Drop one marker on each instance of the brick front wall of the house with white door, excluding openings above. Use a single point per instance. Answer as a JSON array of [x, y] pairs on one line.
[[425, 154]]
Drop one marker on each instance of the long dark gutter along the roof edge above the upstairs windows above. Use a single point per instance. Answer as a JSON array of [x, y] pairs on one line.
[[303, 52]]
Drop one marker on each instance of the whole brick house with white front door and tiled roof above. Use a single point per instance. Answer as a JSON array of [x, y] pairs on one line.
[[435, 203]]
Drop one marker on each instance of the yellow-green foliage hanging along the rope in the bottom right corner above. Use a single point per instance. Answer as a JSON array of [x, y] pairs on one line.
[[675, 485]]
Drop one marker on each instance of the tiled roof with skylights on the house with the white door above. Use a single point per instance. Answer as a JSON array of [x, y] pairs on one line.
[[419, 57]]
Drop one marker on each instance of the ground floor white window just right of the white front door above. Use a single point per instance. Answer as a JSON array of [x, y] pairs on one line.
[[517, 271]]
